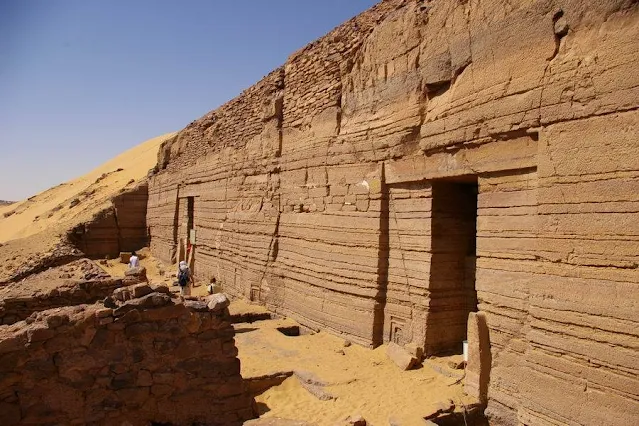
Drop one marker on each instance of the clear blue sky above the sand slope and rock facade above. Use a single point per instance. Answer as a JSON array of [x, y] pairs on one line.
[[83, 80]]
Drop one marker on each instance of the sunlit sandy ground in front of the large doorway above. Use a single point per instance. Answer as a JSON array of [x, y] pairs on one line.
[[363, 381]]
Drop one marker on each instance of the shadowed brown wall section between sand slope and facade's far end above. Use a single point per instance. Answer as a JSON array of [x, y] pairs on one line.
[[119, 228]]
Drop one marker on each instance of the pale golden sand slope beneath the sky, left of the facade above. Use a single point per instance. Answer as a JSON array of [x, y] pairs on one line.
[[32, 231]]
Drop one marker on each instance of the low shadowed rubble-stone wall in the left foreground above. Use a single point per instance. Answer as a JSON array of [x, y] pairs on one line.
[[150, 360]]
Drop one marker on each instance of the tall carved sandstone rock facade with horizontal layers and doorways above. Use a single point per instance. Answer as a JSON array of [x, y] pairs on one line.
[[326, 209]]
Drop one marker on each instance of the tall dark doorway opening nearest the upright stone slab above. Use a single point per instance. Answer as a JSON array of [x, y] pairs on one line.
[[453, 263]]
